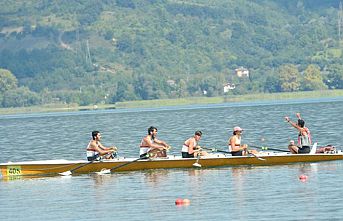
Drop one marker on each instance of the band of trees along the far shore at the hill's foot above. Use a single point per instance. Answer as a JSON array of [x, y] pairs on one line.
[[105, 88]]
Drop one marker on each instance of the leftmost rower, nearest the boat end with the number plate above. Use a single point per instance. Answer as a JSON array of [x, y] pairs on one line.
[[95, 149]]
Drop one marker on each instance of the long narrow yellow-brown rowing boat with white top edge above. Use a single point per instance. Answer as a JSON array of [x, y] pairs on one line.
[[54, 167]]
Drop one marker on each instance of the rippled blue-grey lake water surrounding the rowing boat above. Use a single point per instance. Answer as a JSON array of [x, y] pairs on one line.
[[240, 193]]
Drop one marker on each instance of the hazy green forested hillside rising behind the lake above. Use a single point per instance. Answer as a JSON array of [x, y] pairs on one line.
[[103, 51]]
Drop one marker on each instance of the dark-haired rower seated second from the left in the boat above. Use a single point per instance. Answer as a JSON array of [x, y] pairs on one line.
[[152, 146]]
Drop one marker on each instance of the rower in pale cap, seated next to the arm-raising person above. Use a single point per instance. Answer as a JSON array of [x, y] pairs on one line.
[[235, 146]]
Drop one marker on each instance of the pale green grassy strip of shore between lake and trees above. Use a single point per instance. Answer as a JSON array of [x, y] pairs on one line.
[[175, 102]]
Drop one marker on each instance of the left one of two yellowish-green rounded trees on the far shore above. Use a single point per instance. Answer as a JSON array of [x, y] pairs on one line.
[[290, 78]]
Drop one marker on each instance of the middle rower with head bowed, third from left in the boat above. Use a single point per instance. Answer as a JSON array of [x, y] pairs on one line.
[[190, 148]]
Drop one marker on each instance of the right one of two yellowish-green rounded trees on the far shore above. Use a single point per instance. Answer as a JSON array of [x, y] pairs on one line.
[[313, 79]]
